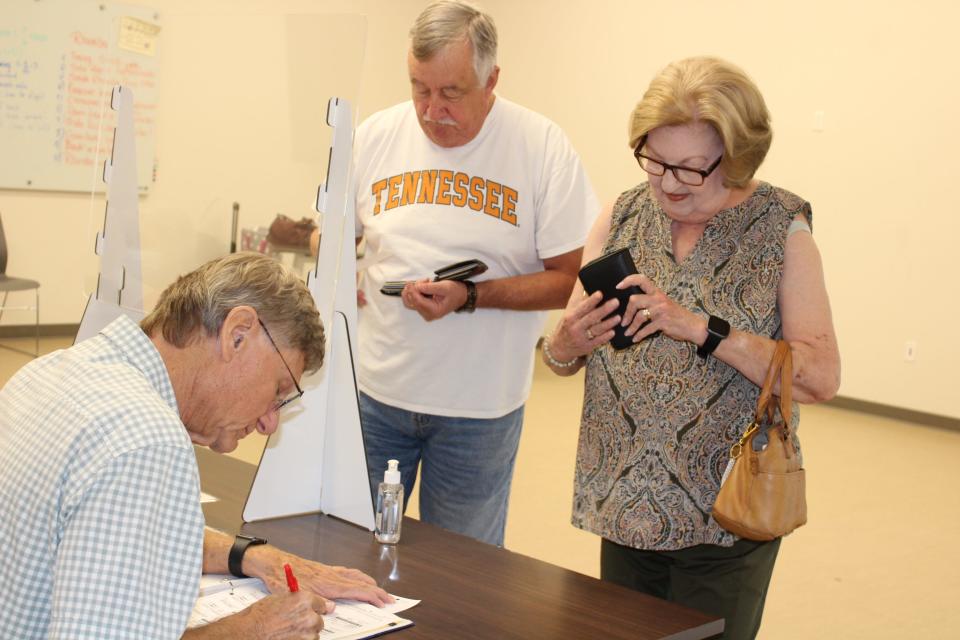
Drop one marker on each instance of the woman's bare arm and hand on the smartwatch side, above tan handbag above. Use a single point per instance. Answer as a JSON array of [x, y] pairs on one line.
[[804, 312]]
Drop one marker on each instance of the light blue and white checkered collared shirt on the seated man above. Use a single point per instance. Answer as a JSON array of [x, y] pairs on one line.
[[100, 517]]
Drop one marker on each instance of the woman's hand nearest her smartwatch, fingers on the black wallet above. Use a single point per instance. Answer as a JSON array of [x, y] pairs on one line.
[[654, 311]]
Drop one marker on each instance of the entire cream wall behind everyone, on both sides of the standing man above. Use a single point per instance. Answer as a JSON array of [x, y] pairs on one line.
[[878, 174]]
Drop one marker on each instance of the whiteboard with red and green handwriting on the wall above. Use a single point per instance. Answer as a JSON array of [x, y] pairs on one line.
[[59, 62]]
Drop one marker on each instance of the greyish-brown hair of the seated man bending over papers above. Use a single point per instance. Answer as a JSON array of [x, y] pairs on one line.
[[197, 304]]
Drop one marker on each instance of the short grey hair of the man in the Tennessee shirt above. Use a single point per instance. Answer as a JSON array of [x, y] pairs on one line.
[[449, 21]]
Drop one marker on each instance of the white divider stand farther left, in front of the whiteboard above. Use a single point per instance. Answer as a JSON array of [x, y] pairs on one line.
[[119, 286]]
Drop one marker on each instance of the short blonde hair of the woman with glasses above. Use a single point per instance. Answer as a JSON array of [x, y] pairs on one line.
[[713, 91]]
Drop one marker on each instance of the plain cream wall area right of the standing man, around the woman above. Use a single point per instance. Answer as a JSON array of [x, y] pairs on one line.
[[878, 175]]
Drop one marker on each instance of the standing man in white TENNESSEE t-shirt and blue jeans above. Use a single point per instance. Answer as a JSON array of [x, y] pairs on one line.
[[460, 173]]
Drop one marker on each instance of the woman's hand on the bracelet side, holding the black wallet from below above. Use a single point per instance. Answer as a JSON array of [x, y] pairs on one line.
[[583, 328]]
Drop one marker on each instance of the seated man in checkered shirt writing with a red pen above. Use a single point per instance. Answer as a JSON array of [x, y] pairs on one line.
[[99, 489]]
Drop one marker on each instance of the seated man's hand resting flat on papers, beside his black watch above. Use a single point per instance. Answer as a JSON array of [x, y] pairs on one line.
[[266, 562]]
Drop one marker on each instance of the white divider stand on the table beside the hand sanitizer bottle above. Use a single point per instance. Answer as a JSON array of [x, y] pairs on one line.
[[316, 461]]
